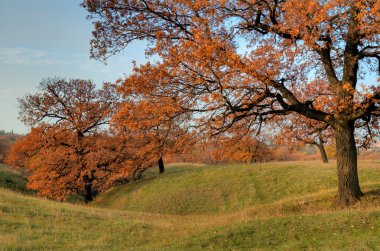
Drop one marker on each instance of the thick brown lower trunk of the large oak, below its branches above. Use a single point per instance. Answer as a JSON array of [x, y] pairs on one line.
[[348, 182]]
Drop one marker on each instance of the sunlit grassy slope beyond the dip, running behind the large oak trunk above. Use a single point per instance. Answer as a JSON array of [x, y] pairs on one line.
[[222, 189]]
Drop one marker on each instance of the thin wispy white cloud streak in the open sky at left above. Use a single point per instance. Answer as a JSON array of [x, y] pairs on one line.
[[28, 56]]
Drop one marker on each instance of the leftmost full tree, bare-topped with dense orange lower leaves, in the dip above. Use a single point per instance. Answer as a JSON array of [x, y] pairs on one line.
[[69, 149]]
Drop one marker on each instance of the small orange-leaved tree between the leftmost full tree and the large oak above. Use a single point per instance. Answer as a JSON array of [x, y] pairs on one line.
[[159, 130]]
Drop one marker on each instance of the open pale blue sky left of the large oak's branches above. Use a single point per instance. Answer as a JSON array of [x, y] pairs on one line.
[[49, 38]]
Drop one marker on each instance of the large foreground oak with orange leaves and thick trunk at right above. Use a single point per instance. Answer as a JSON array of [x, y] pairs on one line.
[[245, 60]]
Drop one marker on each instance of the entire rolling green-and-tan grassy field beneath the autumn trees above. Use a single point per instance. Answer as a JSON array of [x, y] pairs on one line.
[[282, 206]]
